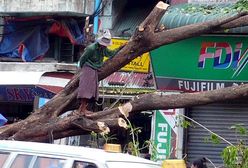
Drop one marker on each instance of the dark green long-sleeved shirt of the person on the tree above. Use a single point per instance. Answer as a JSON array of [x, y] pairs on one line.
[[93, 55]]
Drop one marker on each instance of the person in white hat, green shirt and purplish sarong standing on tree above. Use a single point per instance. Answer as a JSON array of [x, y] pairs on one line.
[[90, 62]]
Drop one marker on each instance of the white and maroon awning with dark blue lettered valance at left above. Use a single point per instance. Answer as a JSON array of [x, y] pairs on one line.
[[25, 86]]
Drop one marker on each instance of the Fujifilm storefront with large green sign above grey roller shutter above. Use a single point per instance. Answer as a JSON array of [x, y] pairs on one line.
[[201, 64]]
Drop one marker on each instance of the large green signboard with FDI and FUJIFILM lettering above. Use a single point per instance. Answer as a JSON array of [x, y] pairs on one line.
[[201, 63]]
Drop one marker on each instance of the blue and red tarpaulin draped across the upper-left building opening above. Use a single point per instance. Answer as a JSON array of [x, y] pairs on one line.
[[28, 39]]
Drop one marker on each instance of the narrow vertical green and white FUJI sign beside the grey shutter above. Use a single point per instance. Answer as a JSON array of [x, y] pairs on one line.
[[165, 134]]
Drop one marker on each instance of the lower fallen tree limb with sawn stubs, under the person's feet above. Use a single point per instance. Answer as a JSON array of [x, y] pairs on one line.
[[156, 102]]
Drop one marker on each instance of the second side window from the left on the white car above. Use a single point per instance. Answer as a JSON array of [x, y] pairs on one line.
[[21, 161]]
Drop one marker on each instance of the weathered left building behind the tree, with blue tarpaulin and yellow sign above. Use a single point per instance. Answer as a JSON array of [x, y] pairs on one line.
[[40, 48]]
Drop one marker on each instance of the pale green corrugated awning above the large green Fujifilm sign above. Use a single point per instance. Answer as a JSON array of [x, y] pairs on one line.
[[185, 14]]
